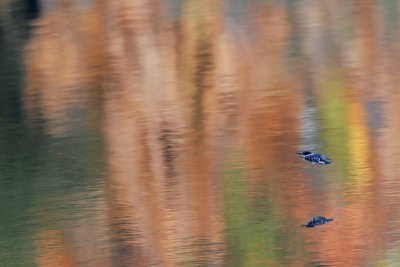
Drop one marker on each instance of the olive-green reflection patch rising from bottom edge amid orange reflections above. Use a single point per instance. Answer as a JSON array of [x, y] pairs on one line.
[[254, 232]]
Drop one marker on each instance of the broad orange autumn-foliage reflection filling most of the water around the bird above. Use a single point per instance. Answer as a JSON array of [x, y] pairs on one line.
[[201, 125]]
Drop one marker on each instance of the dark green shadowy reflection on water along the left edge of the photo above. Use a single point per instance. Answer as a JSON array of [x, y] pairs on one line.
[[46, 182]]
